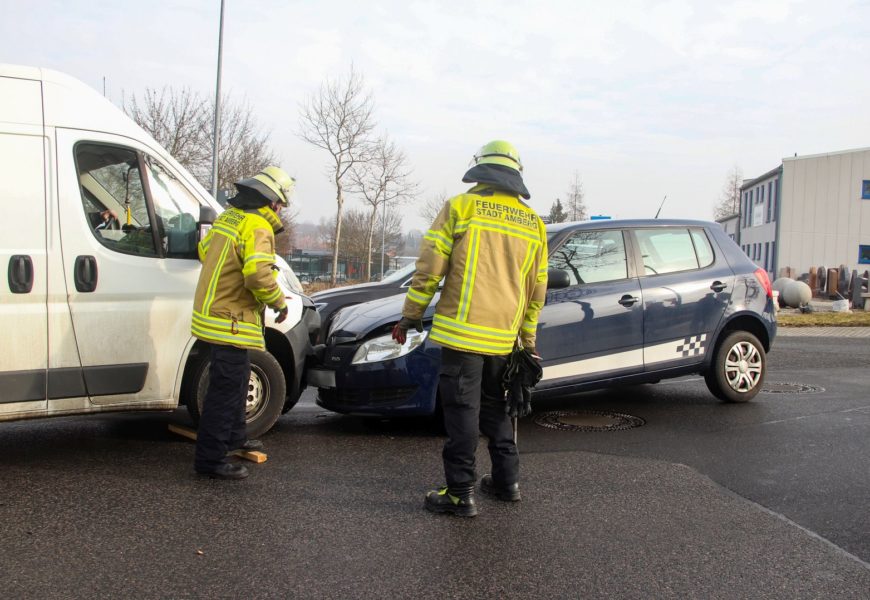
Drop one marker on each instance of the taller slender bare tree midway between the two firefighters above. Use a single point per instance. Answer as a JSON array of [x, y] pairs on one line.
[[339, 119]]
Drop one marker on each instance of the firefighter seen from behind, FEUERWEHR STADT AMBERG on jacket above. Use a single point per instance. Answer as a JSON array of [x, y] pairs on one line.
[[491, 249]]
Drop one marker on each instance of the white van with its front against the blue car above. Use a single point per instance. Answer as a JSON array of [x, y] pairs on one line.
[[98, 240]]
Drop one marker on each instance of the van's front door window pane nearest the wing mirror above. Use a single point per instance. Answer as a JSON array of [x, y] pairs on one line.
[[175, 210]]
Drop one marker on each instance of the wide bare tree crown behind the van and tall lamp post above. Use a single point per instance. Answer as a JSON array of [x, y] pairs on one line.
[[182, 122]]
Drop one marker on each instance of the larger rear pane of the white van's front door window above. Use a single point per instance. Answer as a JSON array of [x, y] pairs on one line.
[[113, 198]]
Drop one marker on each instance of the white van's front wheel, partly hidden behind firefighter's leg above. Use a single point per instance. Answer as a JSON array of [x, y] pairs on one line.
[[266, 392]]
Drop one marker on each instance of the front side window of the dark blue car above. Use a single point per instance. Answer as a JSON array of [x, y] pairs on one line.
[[592, 257]]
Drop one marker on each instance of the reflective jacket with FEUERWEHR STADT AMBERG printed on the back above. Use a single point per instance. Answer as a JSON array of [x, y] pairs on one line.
[[491, 250]]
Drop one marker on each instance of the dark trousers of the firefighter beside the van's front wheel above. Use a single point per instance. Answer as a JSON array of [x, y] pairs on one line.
[[222, 421]]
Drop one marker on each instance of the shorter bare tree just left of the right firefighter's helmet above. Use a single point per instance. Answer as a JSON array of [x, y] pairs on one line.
[[382, 182]]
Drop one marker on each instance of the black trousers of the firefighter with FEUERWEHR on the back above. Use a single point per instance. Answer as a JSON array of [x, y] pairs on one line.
[[473, 400]]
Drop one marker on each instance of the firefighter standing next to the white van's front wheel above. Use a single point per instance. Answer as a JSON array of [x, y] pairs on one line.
[[235, 285]]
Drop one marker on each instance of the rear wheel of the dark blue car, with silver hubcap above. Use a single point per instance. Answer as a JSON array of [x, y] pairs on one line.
[[738, 368]]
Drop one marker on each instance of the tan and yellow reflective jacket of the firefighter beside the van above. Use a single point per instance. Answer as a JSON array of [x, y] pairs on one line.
[[237, 280]]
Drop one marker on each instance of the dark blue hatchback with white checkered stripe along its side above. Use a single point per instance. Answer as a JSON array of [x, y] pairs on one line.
[[627, 302]]
